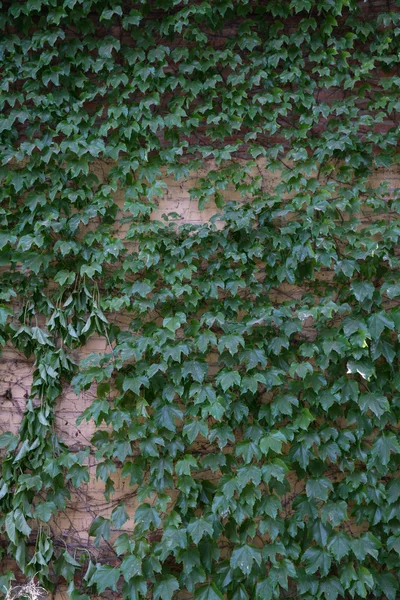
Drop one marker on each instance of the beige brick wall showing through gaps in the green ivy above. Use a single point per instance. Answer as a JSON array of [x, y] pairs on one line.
[[72, 525]]
